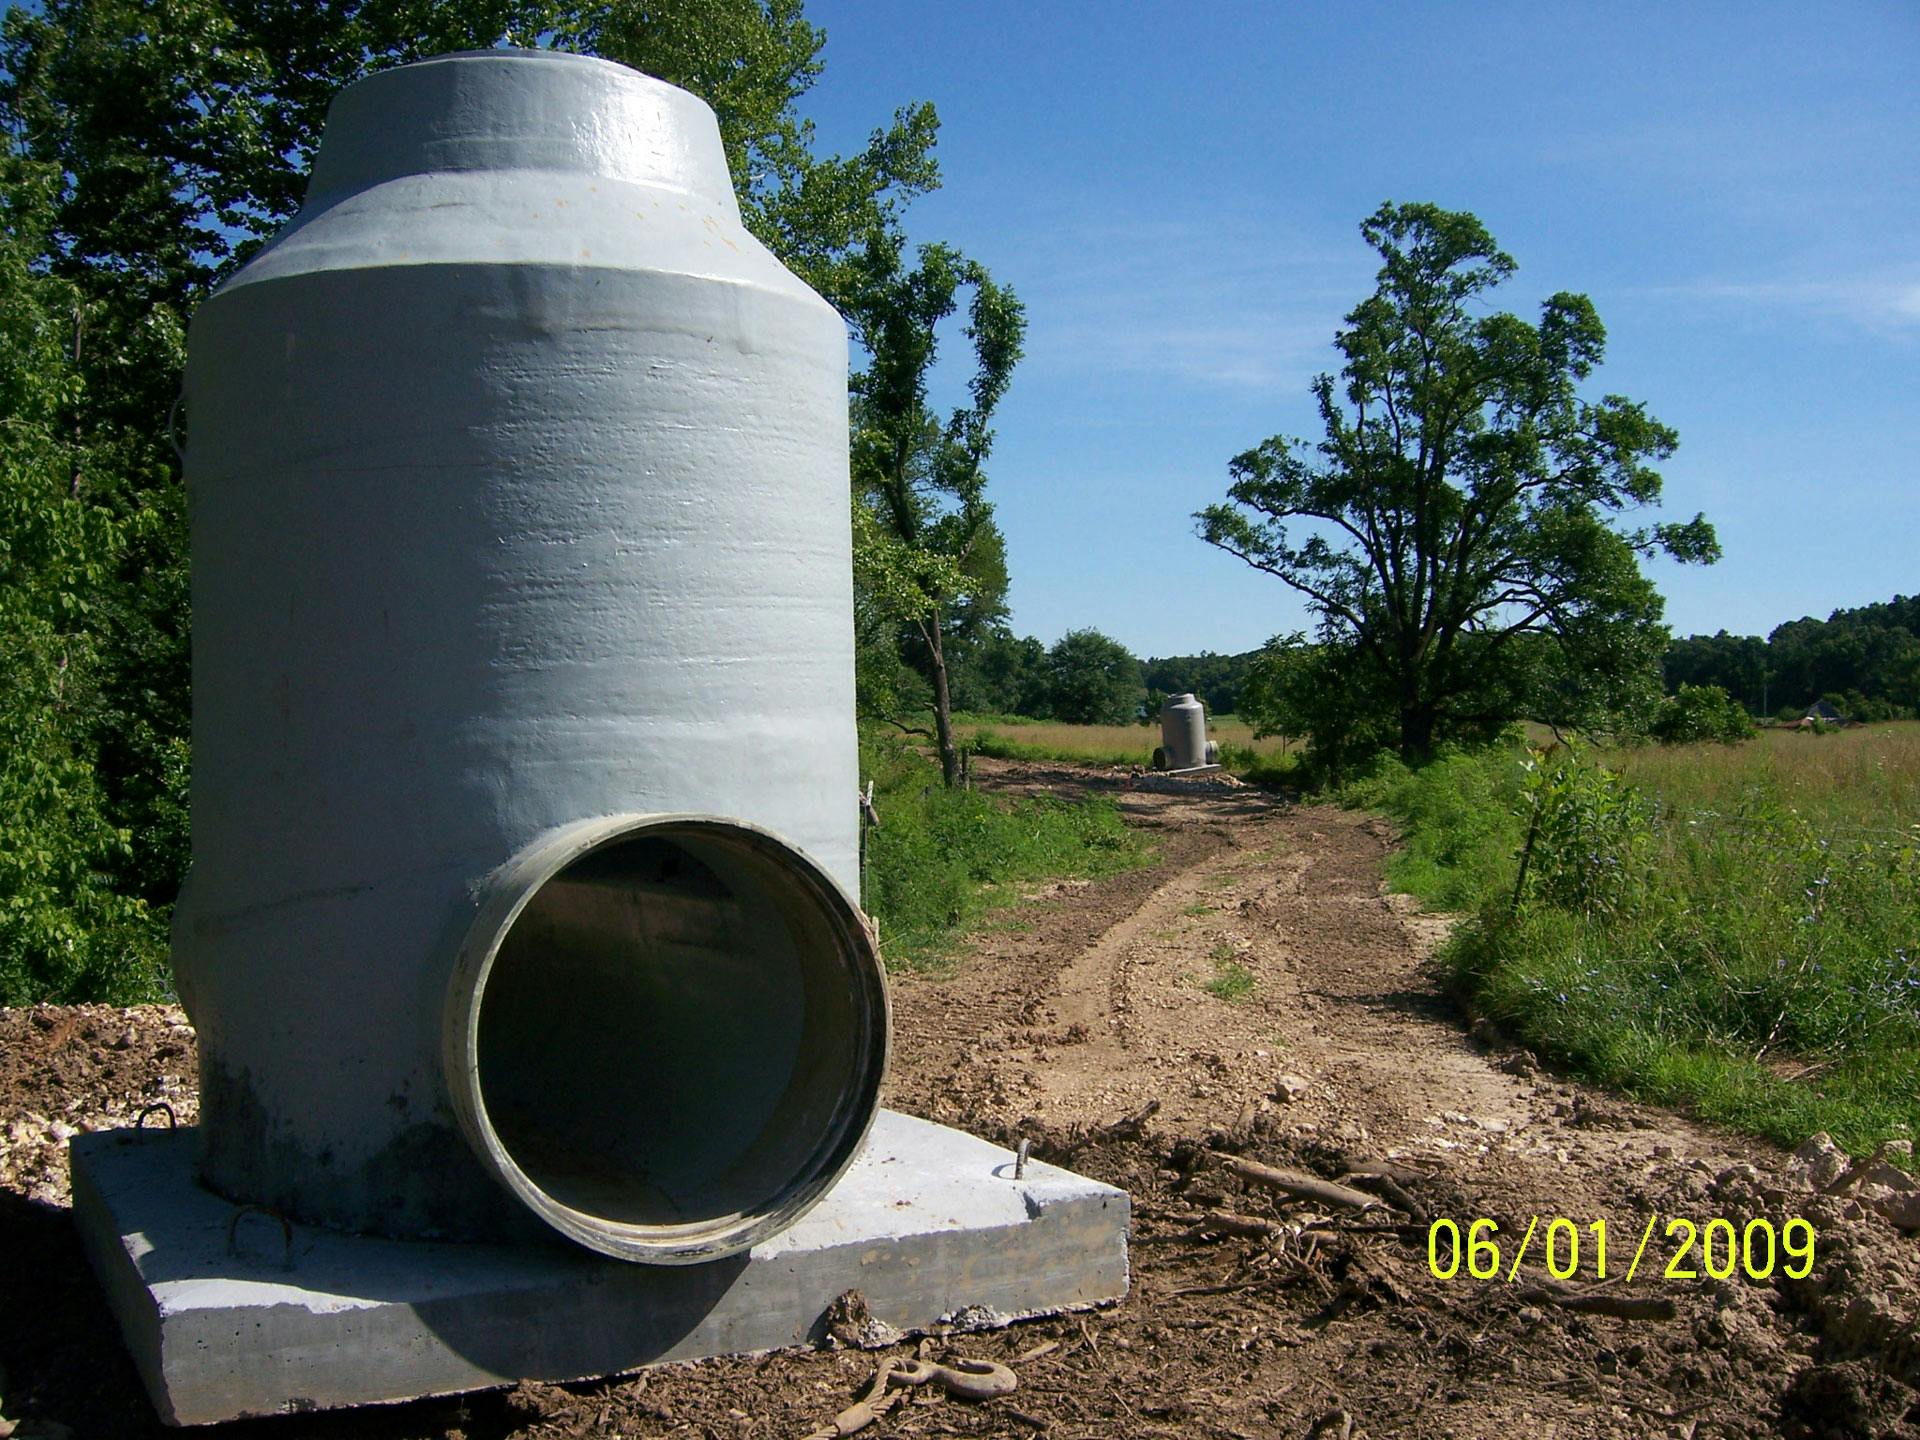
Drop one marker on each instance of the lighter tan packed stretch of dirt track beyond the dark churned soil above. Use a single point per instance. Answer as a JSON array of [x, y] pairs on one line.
[[1280, 898]]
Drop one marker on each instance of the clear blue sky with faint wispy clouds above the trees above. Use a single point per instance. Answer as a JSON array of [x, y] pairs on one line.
[[1176, 193]]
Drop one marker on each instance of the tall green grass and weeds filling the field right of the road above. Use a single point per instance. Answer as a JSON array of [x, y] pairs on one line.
[[1731, 928]]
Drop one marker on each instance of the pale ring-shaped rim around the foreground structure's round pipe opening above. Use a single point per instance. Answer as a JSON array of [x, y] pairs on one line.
[[506, 896]]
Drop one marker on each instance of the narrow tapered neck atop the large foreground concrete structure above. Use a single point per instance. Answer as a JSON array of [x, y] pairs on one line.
[[521, 110]]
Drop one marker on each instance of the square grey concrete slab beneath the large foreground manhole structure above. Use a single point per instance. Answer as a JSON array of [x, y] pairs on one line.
[[228, 1314]]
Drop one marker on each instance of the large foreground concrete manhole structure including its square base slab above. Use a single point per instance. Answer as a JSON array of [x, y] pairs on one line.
[[525, 800]]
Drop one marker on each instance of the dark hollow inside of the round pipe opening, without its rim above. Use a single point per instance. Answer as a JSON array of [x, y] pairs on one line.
[[673, 1030]]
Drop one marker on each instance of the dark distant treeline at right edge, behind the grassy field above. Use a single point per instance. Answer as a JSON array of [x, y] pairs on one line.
[[1865, 663]]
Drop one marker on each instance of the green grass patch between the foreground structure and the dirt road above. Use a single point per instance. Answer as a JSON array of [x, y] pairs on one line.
[[944, 859]]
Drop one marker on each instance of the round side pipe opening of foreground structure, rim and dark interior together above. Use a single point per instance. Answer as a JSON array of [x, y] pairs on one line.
[[667, 1034]]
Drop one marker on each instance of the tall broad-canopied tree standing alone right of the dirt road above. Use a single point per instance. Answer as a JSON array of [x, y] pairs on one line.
[[1454, 531]]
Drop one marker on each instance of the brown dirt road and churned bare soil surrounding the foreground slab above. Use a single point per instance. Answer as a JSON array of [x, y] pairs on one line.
[[1274, 1001]]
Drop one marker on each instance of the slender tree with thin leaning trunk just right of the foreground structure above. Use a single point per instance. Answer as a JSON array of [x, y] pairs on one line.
[[928, 537]]
